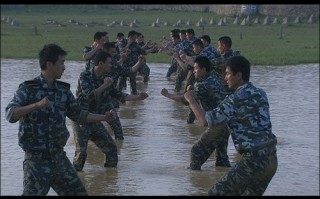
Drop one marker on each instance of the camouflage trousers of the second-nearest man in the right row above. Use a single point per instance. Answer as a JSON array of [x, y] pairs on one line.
[[214, 139]]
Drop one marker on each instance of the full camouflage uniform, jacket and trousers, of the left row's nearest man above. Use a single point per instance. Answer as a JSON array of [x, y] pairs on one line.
[[43, 135]]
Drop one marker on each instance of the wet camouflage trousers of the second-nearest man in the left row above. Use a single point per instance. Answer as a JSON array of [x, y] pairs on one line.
[[98, 134]]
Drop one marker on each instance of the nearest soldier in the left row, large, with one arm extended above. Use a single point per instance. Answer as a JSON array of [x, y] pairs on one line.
[[41, 106]]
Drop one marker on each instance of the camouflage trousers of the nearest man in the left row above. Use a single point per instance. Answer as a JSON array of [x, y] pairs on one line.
[[41, 171]]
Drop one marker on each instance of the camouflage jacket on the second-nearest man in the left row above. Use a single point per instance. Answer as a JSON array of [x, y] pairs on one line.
[[88, 82]]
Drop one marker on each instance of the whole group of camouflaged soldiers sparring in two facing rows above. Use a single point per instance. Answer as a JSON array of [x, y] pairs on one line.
[[217, 91]]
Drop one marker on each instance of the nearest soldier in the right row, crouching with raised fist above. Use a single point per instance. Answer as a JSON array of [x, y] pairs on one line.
[[246, 112]]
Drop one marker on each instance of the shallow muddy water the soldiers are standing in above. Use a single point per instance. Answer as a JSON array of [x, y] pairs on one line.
[[154, 155]]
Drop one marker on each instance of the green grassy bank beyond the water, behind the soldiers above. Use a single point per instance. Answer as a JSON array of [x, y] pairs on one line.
[[273, 44]]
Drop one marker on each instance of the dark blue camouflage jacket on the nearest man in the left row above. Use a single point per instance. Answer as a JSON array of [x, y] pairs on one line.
[[45, 129]]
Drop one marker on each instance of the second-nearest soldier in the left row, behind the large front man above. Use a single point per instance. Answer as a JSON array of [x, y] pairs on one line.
[[93, 94]]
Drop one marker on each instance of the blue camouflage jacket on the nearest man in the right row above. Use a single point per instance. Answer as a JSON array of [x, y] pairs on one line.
[[246, 112]]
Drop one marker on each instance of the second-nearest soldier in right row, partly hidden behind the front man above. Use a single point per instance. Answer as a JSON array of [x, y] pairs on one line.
[[210, 92]]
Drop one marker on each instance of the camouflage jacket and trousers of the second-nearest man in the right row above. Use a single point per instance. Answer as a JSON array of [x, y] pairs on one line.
[[210, 92]]
